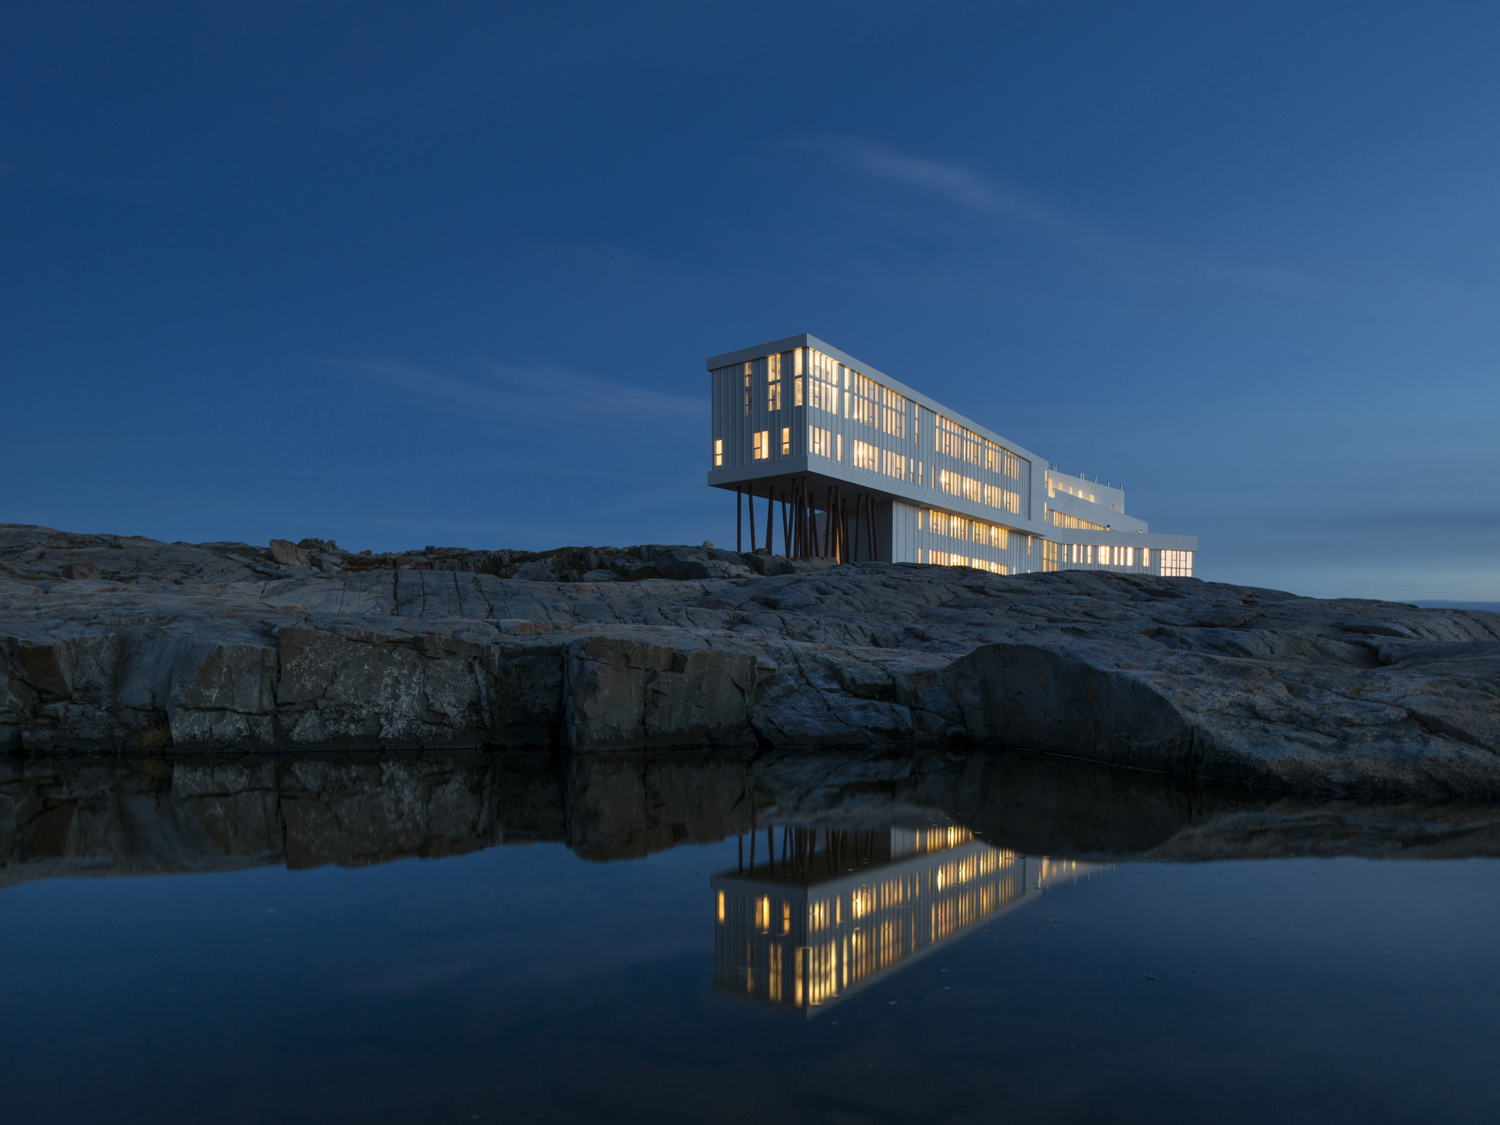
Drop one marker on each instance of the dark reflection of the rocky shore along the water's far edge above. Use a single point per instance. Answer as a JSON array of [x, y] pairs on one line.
[[118, 817]]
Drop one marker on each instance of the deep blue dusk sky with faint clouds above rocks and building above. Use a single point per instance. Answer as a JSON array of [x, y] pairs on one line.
[[448, 274]]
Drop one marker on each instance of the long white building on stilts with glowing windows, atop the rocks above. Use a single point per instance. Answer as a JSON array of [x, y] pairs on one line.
[[803, 431]]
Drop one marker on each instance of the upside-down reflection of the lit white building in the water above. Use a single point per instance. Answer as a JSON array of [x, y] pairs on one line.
[[826, 913]]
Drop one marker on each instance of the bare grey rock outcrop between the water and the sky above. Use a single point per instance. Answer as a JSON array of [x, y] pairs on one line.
[[227, 647]]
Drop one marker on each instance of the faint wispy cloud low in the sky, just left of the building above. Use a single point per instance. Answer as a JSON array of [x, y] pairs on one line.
[[538, 394]]
